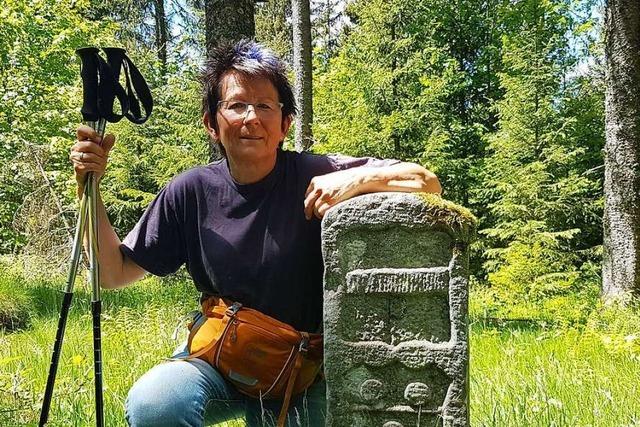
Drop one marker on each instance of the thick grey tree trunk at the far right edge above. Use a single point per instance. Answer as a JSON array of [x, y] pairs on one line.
[[621, 263]]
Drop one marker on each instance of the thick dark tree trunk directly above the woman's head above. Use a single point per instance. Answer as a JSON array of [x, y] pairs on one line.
[[228, 20]]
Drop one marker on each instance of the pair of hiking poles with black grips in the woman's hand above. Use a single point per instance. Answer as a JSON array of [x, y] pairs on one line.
[[100, 81]]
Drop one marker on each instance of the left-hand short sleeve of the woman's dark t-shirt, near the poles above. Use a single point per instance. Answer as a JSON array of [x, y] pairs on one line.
[[156, 243]]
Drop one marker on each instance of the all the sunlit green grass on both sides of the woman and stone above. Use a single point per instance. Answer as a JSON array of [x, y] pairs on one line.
[[520, 376]]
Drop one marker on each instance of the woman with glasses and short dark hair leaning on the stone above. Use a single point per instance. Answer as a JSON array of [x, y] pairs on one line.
[[247, 227]]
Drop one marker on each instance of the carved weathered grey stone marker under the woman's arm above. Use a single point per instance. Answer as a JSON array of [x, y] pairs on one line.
[[395, 311]]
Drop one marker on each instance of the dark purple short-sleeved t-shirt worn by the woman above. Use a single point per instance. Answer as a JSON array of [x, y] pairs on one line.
[[249, 243]]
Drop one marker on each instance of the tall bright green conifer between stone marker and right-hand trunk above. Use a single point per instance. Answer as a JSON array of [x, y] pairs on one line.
[[543, 224]]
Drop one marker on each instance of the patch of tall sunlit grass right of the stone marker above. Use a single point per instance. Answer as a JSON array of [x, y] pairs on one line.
[[529, 377]]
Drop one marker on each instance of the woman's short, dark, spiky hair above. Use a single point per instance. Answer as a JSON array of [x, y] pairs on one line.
[[250, 59]]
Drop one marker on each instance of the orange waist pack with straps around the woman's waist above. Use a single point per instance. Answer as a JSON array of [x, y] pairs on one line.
[[263, 357]]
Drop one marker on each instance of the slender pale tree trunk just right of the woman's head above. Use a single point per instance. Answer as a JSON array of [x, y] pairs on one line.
[[301, 18]]
